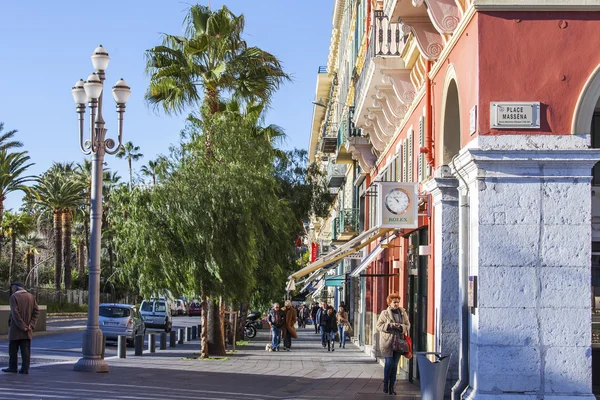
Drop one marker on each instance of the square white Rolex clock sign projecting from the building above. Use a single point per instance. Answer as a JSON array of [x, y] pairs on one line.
[[398, 206]]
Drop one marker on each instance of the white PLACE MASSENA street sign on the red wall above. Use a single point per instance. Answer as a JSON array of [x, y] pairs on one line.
[[515, 115]]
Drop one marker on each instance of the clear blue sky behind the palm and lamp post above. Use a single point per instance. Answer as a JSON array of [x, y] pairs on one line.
[[45, 48]]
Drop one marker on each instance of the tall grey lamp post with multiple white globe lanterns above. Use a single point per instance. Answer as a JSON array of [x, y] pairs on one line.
[[97, 145]]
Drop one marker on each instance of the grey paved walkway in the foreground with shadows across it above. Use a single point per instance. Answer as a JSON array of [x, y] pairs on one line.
[[307, 372]]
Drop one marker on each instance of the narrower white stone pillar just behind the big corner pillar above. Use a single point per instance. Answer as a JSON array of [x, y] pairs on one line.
[[444, 193]]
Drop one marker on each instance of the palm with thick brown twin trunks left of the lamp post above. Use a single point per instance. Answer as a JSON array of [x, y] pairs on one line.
[[60, 195]]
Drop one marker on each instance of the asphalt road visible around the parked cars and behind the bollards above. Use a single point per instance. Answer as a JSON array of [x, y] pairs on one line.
[[65, 346]]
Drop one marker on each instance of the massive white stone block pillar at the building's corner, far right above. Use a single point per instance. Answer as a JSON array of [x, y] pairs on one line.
[[530, 248]]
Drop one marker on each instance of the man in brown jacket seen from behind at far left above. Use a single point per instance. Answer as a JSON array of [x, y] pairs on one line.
[[24, 313]]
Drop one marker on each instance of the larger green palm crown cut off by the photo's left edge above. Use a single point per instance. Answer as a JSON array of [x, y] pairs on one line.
[[12, 178]]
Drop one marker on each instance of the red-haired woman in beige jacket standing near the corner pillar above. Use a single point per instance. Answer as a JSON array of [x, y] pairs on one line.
[[393, 324]]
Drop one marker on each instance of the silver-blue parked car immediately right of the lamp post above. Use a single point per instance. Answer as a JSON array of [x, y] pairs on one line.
[[121, 319]]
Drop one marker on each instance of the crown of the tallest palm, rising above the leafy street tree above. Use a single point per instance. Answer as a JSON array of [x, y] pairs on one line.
[[210, 58]]
